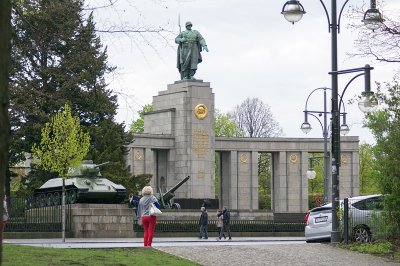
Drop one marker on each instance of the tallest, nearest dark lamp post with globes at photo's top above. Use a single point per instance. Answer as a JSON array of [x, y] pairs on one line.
[[293, 12]]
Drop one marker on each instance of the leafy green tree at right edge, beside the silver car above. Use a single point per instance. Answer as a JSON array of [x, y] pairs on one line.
[[385, 126]]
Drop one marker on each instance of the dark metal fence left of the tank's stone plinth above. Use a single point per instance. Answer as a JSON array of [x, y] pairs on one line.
[[25, 218]]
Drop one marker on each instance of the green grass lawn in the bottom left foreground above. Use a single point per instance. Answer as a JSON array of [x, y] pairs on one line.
[[26, 255]]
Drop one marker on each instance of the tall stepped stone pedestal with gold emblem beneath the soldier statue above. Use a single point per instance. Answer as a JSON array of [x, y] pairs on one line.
[[185, 111]]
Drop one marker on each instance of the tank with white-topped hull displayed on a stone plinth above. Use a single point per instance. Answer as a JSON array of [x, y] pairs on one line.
[[86, 185]]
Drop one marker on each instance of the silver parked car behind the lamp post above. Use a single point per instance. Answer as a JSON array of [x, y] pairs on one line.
[[361, 210]]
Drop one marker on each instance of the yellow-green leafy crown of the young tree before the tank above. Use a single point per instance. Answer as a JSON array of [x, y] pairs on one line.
[[63, 144]]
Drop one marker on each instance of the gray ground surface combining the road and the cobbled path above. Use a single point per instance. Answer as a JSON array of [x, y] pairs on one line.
[[239, 251]]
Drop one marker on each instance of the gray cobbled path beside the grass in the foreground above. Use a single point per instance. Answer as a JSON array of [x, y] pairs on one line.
[[276, 254]]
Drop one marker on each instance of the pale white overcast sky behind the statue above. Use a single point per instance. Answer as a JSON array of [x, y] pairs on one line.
[[254, 52]]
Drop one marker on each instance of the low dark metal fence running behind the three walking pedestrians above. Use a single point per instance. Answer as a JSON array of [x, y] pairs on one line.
[[235, 226]]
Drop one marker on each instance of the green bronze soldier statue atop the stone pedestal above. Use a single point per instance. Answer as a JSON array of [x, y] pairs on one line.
[[191, 43]]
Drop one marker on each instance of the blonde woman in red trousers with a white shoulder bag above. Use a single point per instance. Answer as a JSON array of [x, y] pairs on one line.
[[143, 214]]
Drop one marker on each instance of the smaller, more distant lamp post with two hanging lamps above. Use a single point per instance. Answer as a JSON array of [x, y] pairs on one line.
[[306, 128]]
